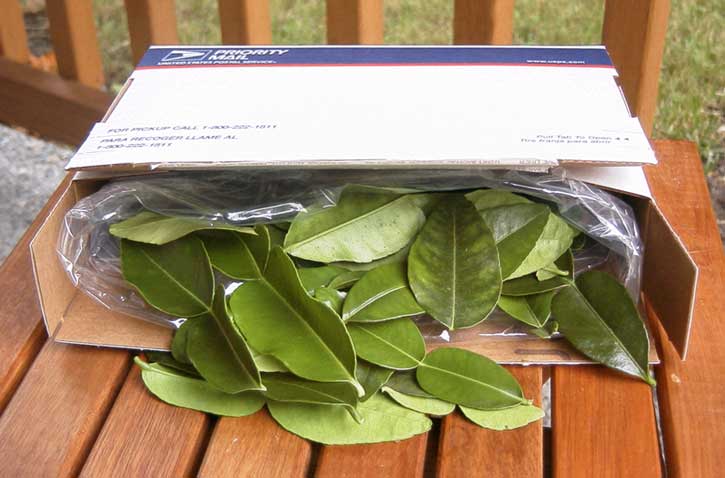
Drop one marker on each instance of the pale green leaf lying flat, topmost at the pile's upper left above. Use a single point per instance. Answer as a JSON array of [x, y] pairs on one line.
[[152, 228]]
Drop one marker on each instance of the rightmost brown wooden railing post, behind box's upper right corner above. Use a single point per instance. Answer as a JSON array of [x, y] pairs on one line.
[[634, 33]]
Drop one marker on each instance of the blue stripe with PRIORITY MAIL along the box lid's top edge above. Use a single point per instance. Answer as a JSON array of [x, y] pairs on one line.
[[332, 56]]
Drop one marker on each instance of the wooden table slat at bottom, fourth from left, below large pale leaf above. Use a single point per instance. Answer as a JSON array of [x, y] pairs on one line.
[[255, 446]]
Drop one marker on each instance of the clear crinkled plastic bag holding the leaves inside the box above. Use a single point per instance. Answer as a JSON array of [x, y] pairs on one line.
[[90, 255]]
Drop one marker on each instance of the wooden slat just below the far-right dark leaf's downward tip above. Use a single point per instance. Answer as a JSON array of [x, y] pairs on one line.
[[603, 424]]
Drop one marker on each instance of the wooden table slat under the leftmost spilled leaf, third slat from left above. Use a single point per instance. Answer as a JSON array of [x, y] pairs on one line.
[[143, 436]]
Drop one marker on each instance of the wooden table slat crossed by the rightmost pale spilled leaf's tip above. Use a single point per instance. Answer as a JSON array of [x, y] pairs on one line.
[[465, 449]]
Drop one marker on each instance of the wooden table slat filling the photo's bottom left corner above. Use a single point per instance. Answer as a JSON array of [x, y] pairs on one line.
[[54, 417]]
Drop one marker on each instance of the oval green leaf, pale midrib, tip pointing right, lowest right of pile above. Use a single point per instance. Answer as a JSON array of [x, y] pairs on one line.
[[466, 378]]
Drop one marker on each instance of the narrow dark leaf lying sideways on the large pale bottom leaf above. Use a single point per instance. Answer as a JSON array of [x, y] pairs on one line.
[[288, 388]]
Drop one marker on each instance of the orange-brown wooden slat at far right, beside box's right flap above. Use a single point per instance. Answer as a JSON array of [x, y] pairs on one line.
[[692, 393]]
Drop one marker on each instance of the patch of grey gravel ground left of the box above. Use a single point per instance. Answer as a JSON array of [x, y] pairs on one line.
[[31, 170]]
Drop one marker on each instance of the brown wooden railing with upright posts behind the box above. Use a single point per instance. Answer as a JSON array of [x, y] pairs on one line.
[[634, 33]]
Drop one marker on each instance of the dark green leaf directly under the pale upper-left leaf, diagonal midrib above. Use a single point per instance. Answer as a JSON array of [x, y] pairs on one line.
[[176, 278]]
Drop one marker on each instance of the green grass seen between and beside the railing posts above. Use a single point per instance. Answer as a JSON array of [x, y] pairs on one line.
[[691, 103]]
